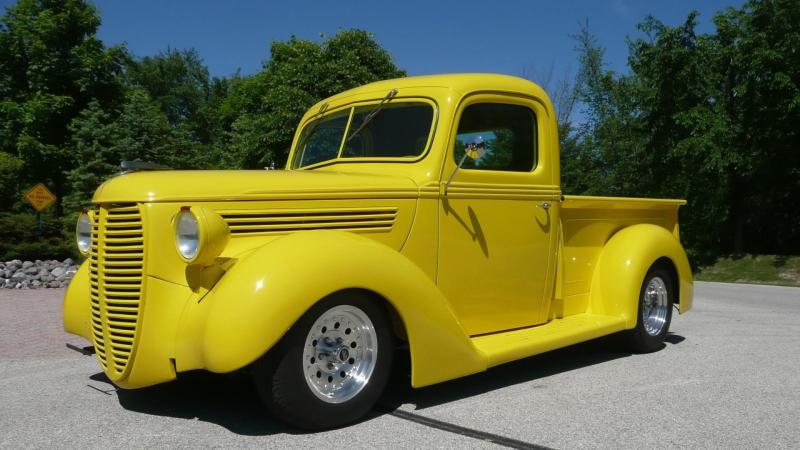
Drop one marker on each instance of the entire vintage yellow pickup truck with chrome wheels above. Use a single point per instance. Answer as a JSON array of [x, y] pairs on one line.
[[421, 212]]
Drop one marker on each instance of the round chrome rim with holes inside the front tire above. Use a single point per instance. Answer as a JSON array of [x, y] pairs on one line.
[[340, 353]]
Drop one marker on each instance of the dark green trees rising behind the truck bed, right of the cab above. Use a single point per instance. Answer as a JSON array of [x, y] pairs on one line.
[[707, 117]]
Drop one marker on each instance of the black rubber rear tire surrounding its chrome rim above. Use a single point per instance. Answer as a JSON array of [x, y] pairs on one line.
[[644, 338]]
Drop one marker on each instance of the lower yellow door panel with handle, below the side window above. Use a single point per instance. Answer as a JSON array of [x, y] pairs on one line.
[[494, 256]]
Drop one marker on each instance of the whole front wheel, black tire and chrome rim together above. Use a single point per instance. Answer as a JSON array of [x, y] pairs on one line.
[[331, 367]]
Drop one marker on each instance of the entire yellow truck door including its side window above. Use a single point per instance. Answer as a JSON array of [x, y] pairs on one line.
[[496, 219]]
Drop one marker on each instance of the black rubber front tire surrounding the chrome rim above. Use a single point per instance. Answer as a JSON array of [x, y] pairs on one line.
[[280, 375]]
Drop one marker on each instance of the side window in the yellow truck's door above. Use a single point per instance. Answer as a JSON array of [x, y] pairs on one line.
[[506, 133]]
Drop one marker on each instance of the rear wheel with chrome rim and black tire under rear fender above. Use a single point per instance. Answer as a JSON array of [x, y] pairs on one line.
[[656, 298]]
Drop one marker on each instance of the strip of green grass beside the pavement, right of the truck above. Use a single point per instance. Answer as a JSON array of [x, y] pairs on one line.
[[756, 269]]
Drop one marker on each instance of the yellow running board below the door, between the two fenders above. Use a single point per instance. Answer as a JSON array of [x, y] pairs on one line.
[[509, 346]]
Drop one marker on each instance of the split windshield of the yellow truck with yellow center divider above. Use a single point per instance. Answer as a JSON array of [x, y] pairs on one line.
[[398, 130]]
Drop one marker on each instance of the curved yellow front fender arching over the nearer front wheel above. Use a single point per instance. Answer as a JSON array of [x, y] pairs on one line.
[[265, 293]]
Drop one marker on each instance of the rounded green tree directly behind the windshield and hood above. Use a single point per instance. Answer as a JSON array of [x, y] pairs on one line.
[[263, 110]]
